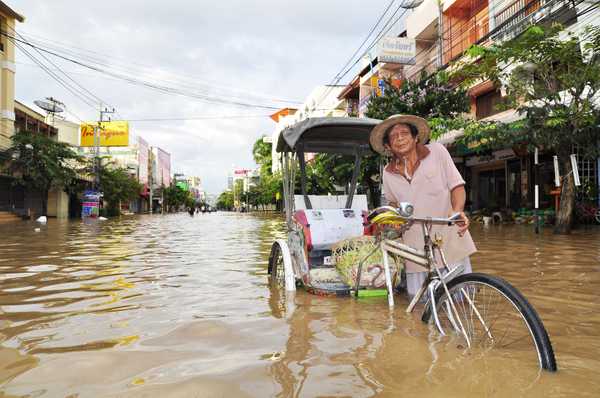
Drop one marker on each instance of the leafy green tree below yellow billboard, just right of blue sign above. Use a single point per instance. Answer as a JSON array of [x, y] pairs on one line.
[[117, 186]]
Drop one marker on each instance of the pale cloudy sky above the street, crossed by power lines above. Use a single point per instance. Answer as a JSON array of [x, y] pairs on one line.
[[261, 53]]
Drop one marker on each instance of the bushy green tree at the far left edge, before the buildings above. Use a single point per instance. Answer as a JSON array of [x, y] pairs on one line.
[[39, 163]]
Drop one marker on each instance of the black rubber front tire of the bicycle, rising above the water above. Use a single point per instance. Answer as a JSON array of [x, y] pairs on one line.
[[537, 330]]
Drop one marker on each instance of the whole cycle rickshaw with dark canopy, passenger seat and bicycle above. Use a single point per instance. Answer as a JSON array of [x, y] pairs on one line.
[[482, 311]]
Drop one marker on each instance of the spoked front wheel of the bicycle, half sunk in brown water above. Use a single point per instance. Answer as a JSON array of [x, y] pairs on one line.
[[490, 314]]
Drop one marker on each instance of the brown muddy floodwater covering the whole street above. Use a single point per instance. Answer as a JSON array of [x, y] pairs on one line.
[[180, 306]]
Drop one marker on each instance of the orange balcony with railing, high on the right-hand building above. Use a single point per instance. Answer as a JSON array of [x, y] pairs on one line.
[[464, 23]]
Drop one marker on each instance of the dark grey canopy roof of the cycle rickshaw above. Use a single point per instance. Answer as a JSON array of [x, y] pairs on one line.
[[341, 135]]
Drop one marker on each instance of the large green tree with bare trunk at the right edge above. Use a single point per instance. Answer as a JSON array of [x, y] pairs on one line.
[[552, 78]]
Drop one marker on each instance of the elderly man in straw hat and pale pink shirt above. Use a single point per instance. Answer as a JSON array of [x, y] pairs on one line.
[[425, 176]]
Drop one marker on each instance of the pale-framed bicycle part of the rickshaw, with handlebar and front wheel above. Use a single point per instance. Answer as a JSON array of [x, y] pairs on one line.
[[485, 311]]
